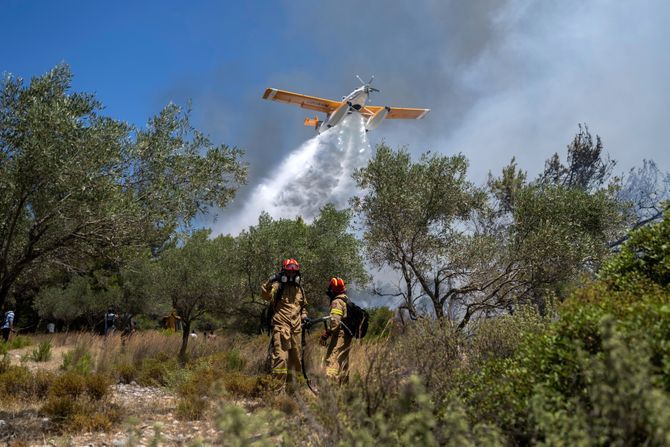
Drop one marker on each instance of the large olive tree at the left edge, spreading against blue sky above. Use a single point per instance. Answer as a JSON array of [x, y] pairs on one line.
[[75, 184]]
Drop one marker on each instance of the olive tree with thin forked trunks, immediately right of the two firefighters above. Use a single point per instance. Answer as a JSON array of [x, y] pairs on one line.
[[414, 215]]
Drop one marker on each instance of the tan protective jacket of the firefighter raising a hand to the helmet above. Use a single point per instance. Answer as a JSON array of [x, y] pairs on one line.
[[291, 309]]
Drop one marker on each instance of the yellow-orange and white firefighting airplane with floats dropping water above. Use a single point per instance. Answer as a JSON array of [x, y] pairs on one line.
[[336, 110]]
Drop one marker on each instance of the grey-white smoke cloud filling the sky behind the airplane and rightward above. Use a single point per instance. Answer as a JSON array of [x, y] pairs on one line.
[[503, 78]]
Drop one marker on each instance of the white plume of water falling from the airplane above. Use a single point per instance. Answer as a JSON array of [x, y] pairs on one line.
[[316, 173]]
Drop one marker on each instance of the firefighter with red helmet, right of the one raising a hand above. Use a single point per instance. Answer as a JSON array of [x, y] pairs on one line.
[[337, 355]]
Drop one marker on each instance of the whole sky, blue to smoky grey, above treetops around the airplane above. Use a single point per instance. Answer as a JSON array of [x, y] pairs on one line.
[[503, 77]]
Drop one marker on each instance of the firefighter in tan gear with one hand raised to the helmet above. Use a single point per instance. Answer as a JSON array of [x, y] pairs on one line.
[[283, 290]]
